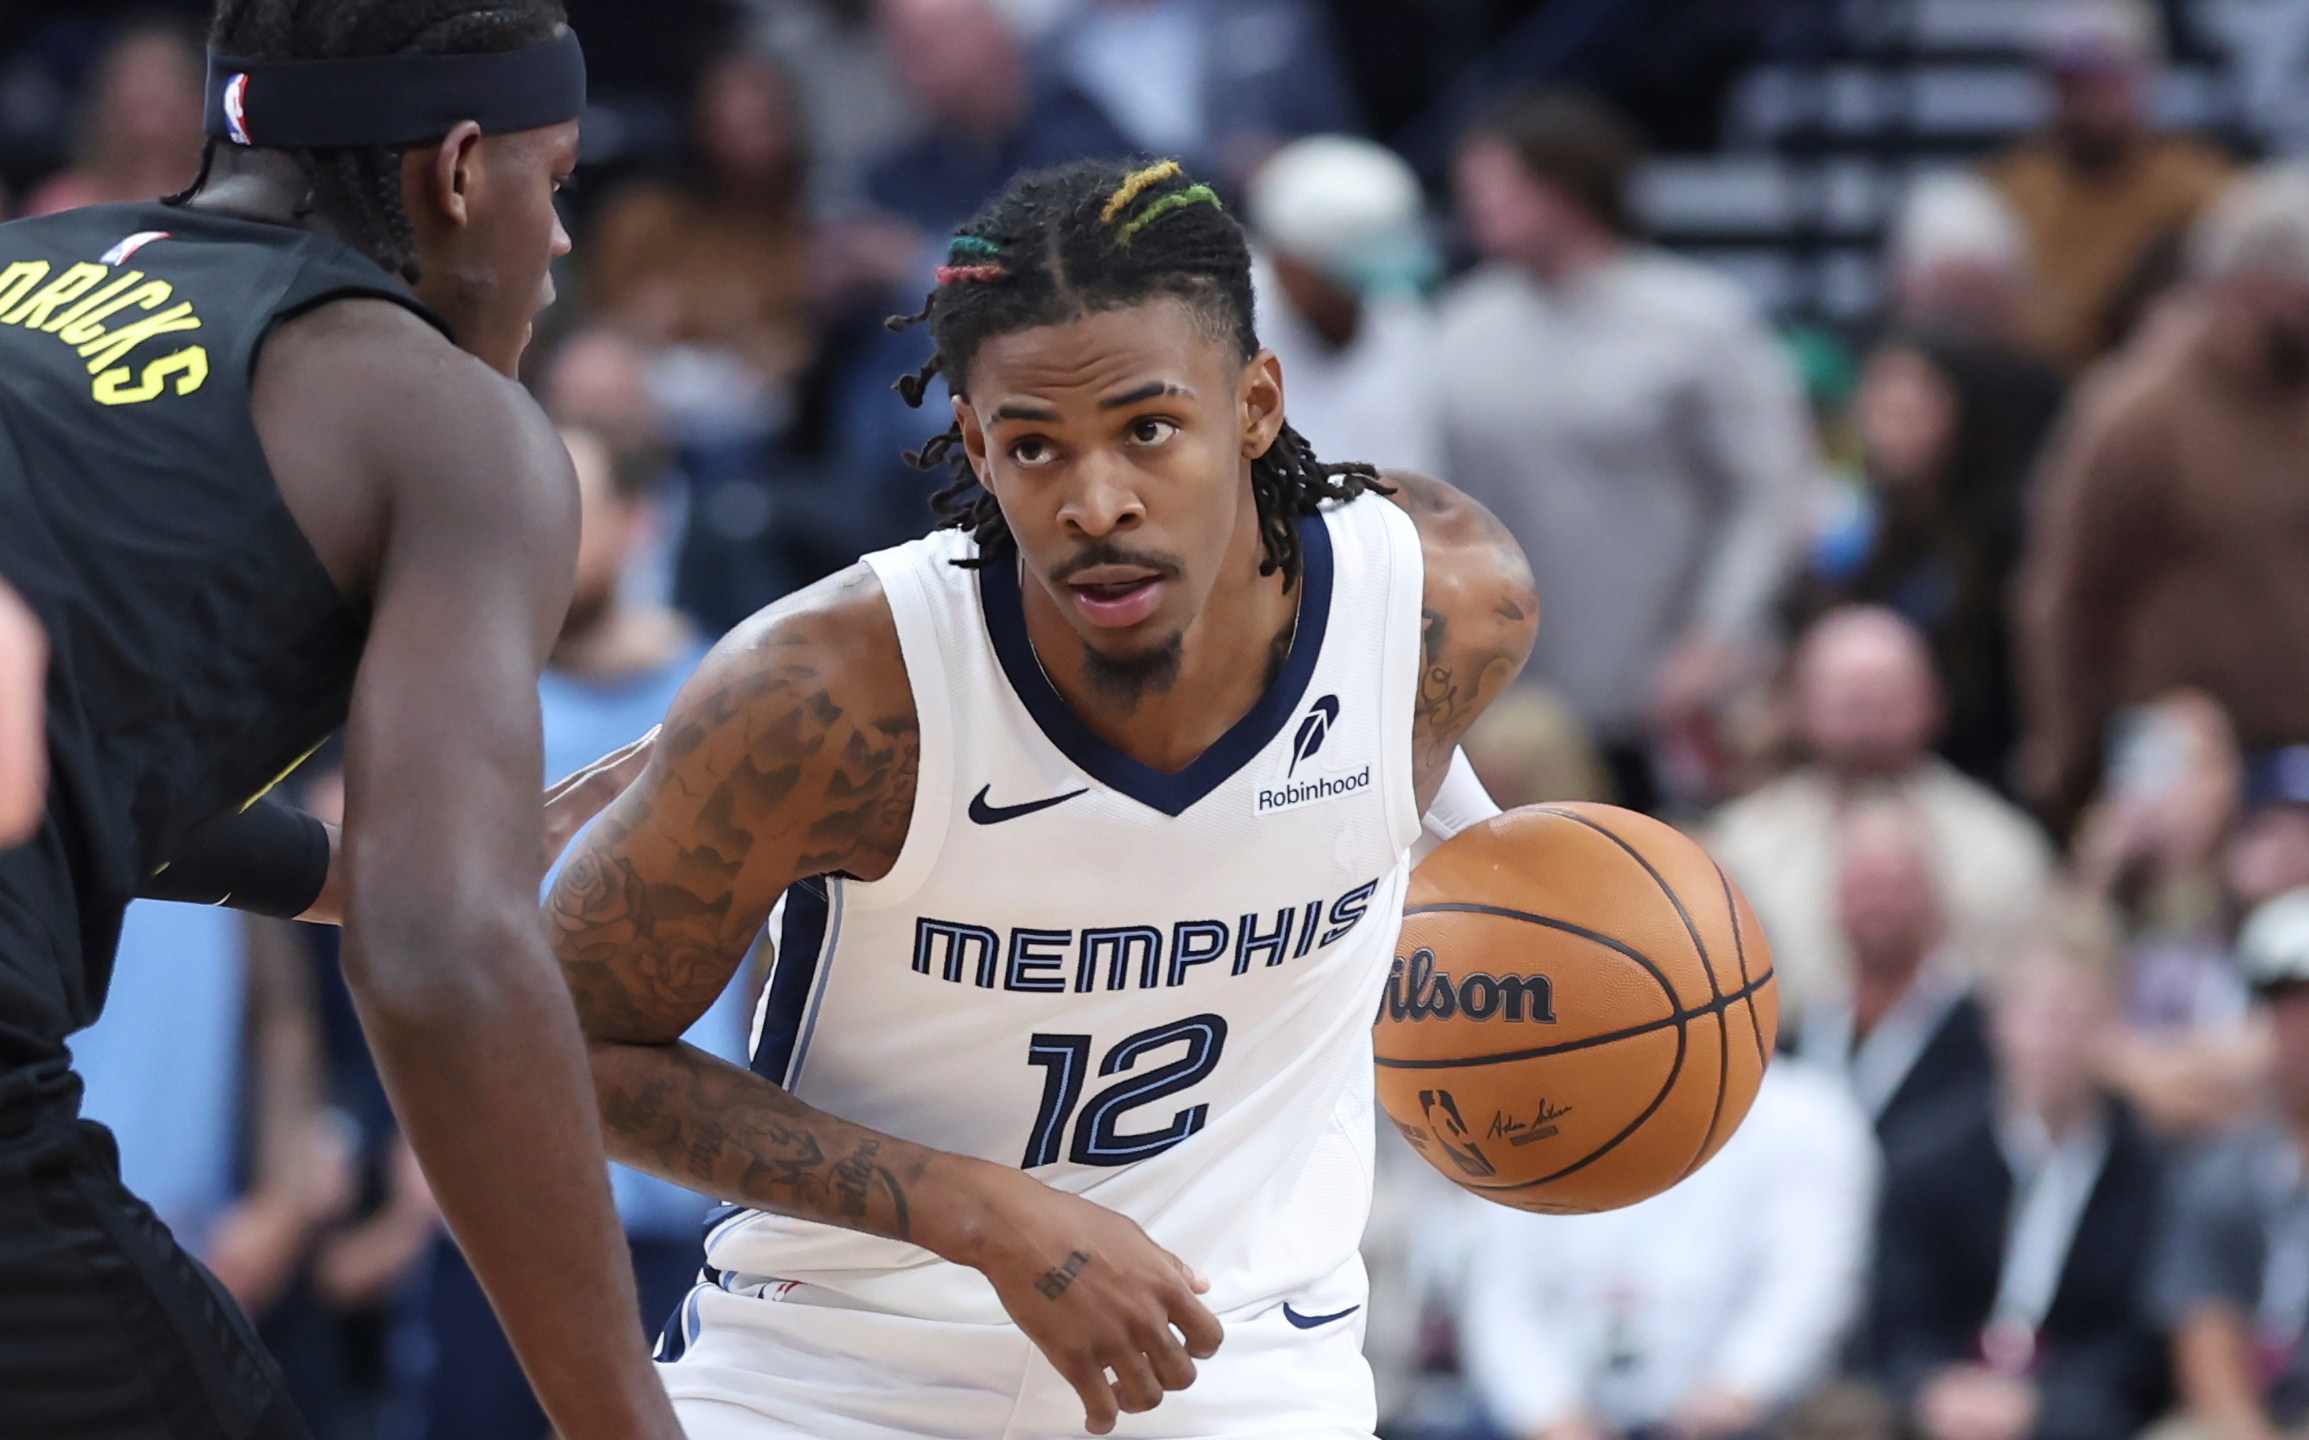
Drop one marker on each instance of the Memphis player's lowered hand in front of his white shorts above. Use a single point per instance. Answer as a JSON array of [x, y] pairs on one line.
[[1114, 1312]]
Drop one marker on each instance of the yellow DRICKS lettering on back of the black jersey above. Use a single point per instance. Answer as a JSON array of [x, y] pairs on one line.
[[107, 315]]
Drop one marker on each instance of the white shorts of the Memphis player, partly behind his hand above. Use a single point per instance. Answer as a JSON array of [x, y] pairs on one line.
[[798, 1370]]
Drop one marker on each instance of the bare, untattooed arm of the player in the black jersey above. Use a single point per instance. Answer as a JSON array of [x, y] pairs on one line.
[[470, 527]]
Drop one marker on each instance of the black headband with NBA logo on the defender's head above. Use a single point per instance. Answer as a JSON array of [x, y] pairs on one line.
[[394, 100]]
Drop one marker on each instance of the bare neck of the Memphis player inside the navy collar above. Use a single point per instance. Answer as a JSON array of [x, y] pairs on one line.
[[1227, 661]]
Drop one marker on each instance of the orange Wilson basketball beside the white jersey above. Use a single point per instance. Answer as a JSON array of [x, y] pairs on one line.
[[1578, 1014]]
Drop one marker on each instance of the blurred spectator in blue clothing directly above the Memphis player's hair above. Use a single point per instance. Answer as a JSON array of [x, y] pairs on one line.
[[1218, 84]]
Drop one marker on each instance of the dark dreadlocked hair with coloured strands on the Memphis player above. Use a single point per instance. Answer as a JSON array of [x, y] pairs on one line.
[[1079, 241]]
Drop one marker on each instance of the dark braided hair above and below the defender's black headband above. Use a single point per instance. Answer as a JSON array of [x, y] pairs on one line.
[[364, 186]]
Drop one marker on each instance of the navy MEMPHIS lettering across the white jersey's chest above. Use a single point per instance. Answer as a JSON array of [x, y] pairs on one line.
[[1130, 957]]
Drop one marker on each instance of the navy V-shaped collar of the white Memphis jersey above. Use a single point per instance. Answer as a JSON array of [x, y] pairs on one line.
[[1211, 770]]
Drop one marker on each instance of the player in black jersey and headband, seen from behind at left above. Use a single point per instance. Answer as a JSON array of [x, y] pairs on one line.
[[264, 477]]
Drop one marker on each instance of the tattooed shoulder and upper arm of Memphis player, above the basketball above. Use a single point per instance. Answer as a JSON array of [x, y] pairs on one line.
[[1477, 620]]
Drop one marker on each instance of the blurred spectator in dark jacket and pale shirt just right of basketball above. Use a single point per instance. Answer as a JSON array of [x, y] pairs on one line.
[[1904, 1030]]
